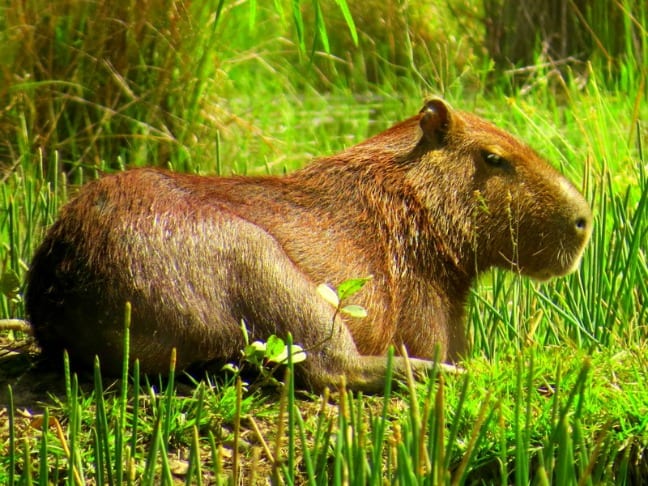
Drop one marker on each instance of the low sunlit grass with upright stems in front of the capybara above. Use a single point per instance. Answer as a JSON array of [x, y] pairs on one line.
[[558, 414]]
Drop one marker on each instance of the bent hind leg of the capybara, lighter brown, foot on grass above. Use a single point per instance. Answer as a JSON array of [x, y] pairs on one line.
[[275, 297]]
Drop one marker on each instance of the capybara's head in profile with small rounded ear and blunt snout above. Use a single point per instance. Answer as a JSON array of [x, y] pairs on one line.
[[501, 202]]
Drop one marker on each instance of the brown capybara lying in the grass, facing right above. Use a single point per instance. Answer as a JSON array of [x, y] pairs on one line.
[[423, 207]]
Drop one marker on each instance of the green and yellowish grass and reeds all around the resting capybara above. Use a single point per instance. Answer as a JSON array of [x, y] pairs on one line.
[[554, 389]]
